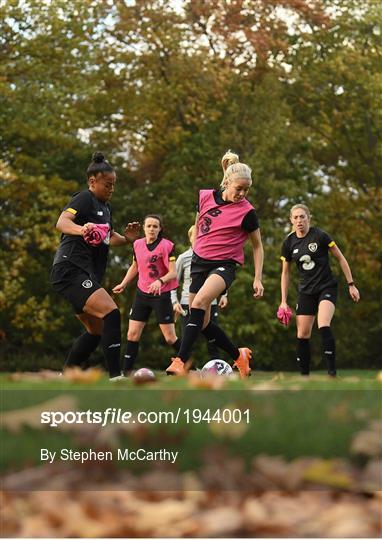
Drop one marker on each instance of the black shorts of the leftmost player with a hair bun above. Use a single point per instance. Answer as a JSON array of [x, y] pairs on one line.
[[74, 284]]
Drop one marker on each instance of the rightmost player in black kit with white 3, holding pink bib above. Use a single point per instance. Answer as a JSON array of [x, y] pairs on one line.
[[317, 292]]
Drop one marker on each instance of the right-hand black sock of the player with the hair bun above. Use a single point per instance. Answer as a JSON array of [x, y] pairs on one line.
[[111, 341]]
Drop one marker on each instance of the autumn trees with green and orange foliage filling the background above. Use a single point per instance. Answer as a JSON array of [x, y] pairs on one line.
[[293, 86]]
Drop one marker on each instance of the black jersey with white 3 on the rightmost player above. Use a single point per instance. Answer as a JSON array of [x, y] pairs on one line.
[[311, 255]]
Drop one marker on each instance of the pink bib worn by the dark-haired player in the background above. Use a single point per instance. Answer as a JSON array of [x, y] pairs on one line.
[[153, 264]]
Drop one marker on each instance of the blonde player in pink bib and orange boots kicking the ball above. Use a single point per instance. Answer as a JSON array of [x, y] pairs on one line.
[[224, 221]]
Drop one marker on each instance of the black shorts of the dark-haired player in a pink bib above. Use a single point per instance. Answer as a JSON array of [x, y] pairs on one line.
[[144, 304]]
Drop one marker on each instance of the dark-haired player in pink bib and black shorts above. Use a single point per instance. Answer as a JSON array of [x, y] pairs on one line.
[[154, 263]]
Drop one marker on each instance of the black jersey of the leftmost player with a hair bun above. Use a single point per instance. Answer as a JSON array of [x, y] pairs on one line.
[[86, 208]]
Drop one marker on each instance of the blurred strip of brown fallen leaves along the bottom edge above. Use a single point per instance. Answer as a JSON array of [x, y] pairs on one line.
[[126, 514]]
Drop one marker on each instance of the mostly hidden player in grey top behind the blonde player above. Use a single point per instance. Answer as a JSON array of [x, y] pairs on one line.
[[183, 268]]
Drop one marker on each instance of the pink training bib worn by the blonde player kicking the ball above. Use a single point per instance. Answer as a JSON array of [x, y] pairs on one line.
[[219, 232]]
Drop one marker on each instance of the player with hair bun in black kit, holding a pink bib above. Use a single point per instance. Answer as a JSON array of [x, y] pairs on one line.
[[80, 263]]
